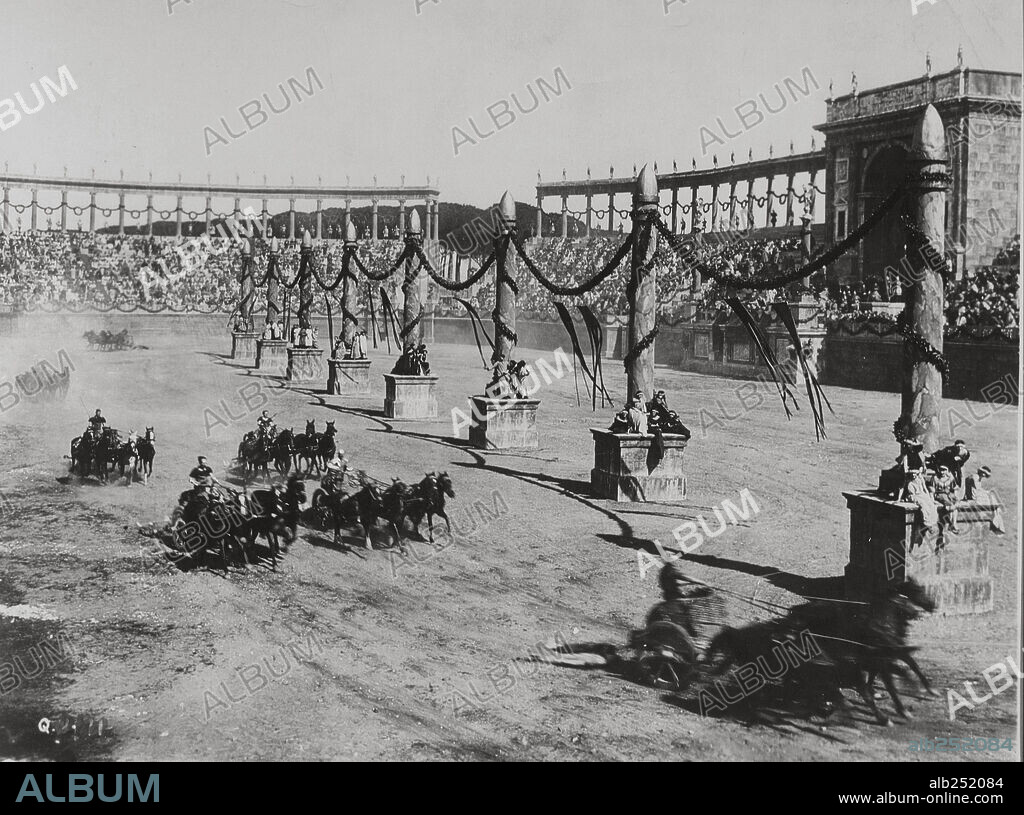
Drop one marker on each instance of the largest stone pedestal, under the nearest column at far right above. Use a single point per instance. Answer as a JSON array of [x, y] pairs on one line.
[[888, 545]]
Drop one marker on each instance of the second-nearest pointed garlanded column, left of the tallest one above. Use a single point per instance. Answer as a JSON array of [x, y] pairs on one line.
[[644, 301]]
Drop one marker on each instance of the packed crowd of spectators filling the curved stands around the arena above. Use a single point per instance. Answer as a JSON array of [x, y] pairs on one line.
[[75, 269]]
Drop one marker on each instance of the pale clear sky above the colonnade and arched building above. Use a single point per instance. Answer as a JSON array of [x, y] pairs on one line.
[[638, 81]]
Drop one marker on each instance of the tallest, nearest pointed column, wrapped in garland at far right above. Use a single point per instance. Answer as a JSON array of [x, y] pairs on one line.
[[922, 395]]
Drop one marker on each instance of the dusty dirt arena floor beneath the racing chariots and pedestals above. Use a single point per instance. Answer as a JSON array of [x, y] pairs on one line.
[[345, 654]]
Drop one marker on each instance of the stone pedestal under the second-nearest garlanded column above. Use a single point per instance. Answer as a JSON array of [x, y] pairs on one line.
[[625, 468]]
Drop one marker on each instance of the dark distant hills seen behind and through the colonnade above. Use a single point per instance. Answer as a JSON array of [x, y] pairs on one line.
[[464, 229]]
